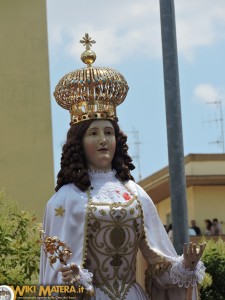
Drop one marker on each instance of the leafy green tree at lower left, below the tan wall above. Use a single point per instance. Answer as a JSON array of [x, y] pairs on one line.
[[19, 246]]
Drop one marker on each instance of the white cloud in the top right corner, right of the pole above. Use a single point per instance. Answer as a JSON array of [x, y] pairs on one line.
[[199, 23]]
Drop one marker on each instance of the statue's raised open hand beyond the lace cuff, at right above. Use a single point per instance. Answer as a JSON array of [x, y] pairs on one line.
[[192, 255]]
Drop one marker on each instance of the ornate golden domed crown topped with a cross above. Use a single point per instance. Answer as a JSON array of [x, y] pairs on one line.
[[91, 92]]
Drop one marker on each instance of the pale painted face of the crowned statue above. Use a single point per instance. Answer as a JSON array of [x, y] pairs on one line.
[[99, 144]]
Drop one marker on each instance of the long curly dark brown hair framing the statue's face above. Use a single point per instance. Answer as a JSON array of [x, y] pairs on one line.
[[73, 162]]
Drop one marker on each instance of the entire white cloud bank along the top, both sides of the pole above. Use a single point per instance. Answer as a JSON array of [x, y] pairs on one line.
[[124, 29]]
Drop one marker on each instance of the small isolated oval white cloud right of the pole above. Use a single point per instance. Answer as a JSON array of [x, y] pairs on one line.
[[207, 93]]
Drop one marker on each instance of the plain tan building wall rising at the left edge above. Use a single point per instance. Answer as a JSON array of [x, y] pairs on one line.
[[26, 160]]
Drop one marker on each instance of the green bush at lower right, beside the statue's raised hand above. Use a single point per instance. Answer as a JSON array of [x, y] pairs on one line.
[[213, 287]]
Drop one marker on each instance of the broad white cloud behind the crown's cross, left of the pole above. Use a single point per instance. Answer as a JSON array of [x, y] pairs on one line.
[[122, 29]]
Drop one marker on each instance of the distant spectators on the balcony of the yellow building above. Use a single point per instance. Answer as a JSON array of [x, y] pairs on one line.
[[211, 228]]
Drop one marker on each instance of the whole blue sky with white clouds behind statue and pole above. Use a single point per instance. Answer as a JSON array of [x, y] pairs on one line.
[[128, 39]]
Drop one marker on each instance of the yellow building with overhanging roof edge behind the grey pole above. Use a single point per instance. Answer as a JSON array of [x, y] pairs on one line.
[[205, 183]]
